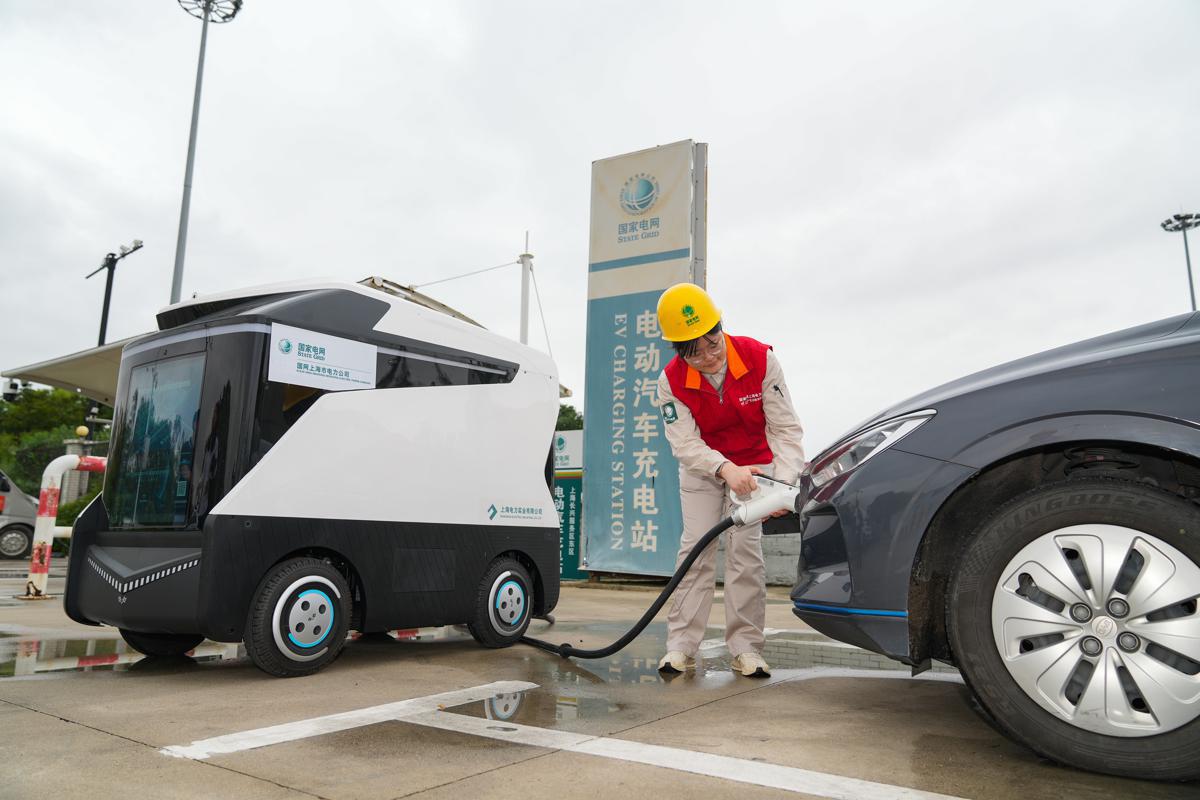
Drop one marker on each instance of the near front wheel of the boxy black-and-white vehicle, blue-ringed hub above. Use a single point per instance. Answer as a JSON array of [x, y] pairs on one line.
[[299, 618]]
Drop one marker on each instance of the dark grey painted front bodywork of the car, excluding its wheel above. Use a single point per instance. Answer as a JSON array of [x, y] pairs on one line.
[[1135, 387]]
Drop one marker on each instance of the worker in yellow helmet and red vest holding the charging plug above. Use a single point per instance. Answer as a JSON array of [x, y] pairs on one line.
[[728, 417]]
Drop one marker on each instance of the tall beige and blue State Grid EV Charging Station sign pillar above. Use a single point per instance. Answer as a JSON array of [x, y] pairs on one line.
[[647, 234]]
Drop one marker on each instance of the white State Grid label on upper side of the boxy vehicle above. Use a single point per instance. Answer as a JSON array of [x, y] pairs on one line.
[[320, 360]]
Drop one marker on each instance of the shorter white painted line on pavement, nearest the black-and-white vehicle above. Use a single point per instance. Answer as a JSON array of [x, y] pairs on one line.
[[278, 735]]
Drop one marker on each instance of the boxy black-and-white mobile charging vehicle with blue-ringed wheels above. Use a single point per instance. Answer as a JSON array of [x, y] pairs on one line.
[[297, 461]]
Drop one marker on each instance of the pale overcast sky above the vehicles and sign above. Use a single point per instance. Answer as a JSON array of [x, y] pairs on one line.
[[901, 194]]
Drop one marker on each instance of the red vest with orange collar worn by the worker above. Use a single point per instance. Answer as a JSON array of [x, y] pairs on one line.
[[733, 424]]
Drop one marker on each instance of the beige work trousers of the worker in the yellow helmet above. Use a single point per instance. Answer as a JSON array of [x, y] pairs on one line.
[[705, 502]]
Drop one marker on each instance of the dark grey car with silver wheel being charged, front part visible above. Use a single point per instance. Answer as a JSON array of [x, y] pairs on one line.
[[1037, 526]]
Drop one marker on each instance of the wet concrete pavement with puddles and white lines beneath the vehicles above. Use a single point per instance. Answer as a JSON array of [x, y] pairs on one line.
[[429, 713]]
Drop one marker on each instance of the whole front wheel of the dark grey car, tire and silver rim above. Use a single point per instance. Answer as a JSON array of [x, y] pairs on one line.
[[1025, 582]]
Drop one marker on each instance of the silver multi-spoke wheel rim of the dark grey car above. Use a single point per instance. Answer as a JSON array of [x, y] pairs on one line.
[[1121, 675]]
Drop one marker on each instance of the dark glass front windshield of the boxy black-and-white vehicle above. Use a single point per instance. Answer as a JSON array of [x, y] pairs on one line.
[[151, 470]]
